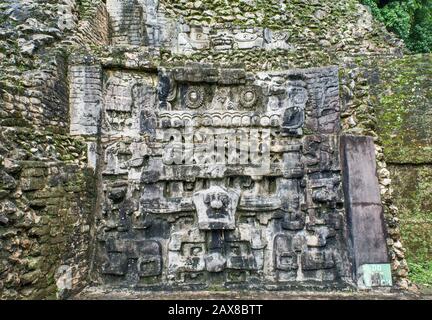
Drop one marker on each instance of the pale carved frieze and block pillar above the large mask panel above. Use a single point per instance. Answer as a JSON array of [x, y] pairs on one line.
[[144, 23]]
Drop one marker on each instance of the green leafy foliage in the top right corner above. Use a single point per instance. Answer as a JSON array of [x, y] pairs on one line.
[[411, 20]]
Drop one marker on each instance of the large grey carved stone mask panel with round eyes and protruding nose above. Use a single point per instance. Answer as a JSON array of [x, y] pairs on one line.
[[221, 181]]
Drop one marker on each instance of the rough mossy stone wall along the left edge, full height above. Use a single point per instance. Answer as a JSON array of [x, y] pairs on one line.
[[46, 192]]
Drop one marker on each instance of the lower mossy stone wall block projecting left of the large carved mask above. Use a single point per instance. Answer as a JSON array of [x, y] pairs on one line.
[[44, 213]]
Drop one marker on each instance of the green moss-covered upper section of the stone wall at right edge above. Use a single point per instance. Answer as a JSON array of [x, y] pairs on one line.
[[403, 109]]
